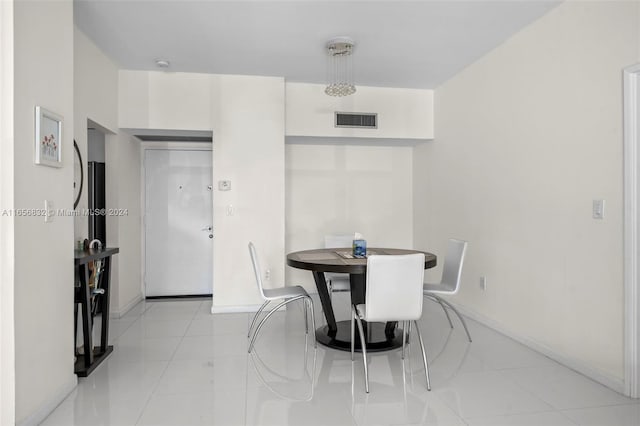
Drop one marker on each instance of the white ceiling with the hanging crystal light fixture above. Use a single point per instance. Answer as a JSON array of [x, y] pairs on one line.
[[416, 44]]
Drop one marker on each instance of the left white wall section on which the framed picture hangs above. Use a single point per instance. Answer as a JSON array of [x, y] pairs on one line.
[[43, 272]]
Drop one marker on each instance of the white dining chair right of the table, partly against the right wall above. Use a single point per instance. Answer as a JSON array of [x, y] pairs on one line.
[[450, 282]]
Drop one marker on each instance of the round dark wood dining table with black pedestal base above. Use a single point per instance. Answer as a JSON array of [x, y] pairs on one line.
[[337, 334]]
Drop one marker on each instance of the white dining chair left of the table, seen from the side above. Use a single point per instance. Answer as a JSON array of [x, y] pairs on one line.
[[286, 294]]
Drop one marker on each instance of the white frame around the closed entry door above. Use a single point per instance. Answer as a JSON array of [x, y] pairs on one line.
[[169, 146]]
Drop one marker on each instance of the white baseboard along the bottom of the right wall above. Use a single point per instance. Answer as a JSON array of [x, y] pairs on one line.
[[614, 383]]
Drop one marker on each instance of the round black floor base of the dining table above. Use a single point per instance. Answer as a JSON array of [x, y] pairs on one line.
[[377, 339]]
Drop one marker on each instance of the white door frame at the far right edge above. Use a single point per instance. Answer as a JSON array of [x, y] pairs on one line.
[[631, 85]]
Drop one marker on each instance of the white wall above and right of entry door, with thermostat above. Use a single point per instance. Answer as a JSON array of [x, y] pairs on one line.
[[246, 115]]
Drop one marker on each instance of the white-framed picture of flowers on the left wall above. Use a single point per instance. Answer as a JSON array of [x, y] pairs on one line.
[[48, 138]]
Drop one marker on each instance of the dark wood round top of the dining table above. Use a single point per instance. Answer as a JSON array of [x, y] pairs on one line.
[[336, 259]]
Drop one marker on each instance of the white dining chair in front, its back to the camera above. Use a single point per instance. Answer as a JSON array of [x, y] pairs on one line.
[[394, 293]]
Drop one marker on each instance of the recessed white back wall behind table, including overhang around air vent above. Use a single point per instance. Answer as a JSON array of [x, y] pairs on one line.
[[349, 179]]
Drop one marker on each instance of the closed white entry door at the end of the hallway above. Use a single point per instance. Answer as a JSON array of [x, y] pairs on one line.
[[178, 221]]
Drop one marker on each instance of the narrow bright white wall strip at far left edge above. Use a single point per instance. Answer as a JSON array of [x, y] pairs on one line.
[[7, 341]]
